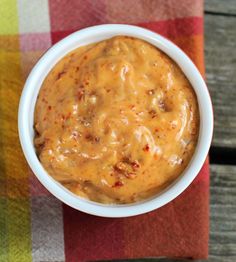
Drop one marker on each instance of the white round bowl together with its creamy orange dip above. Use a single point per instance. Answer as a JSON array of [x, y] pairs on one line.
[[115, 120]]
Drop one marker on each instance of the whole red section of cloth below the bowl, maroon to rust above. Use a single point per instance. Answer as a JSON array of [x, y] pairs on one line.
[[172, 231]]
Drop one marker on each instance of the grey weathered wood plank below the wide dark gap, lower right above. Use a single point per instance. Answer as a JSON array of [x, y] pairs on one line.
[[223, 214]]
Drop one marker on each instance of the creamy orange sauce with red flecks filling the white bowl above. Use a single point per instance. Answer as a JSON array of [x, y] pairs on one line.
[[116, 121]]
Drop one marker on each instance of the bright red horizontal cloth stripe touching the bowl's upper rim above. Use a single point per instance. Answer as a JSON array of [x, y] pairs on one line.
[[170, 28]]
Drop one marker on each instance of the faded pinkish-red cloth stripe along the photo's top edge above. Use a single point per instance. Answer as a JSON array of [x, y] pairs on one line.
[[82, 13]]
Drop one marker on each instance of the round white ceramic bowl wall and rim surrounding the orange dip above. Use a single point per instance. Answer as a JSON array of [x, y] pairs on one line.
[[91, 35]]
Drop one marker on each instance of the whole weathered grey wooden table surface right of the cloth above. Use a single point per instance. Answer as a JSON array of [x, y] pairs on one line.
[[220, 59]]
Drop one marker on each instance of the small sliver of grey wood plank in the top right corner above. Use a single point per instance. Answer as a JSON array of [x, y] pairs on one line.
[[221, 6]]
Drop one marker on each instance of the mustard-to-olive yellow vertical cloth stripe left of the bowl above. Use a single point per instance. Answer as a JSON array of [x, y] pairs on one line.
[[15, 220]]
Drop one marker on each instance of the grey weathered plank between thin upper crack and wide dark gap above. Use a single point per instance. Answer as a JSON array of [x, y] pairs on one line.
[[220, 59]]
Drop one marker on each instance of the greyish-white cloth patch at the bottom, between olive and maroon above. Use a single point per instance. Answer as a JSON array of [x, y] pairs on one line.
[[47, 229]]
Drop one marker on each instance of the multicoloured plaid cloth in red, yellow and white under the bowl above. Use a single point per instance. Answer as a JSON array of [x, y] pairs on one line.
[[34, 225]]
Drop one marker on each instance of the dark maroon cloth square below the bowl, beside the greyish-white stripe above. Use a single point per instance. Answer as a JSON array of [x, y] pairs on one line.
[[91, 238]]
